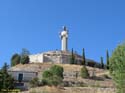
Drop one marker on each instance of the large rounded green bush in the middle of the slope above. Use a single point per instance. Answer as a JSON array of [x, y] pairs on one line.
[[54, 76]]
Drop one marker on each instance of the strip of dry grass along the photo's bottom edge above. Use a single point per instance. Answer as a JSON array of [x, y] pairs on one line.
[[47, 89]]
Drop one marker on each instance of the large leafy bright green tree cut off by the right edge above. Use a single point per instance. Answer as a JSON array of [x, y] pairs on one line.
[[117, 67]]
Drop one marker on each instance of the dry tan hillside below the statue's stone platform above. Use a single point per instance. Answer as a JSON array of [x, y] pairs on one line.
[[100, 82]]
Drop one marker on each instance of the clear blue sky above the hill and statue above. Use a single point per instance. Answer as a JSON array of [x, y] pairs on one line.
[[96, 25]]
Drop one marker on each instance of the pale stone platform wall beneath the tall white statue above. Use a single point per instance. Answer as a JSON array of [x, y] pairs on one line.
[[55, 57]]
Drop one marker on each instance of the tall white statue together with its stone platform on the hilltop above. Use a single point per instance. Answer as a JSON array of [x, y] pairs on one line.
[[62, 56]]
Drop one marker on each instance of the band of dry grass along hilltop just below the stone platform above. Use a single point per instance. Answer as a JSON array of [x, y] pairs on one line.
[[38, 66]]
